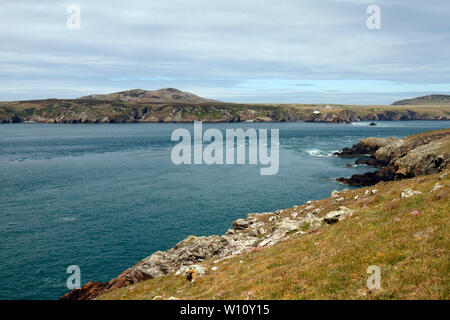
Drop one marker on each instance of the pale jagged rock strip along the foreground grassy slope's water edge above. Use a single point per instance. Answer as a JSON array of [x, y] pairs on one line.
[[257, 231]]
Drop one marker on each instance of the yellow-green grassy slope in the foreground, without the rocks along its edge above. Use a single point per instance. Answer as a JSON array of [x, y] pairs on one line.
[[331, 262]]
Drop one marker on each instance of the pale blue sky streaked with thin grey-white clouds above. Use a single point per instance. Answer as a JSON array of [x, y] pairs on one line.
[[272, 51]]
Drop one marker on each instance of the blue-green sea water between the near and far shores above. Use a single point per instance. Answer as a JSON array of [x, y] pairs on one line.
[[104, 196]]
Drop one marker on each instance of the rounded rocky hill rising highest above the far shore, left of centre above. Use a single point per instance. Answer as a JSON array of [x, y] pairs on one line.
[[167, 95]]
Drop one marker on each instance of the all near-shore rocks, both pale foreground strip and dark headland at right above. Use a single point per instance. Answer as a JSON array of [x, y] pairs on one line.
[[420, 154]]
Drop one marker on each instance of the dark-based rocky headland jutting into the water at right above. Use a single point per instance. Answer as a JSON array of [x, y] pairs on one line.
[[420, 154]]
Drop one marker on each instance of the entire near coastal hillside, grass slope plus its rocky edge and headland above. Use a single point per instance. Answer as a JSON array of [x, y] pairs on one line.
[[320, 249]]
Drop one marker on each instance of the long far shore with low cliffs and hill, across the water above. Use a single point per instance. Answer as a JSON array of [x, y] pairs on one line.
[[170, 105]]
